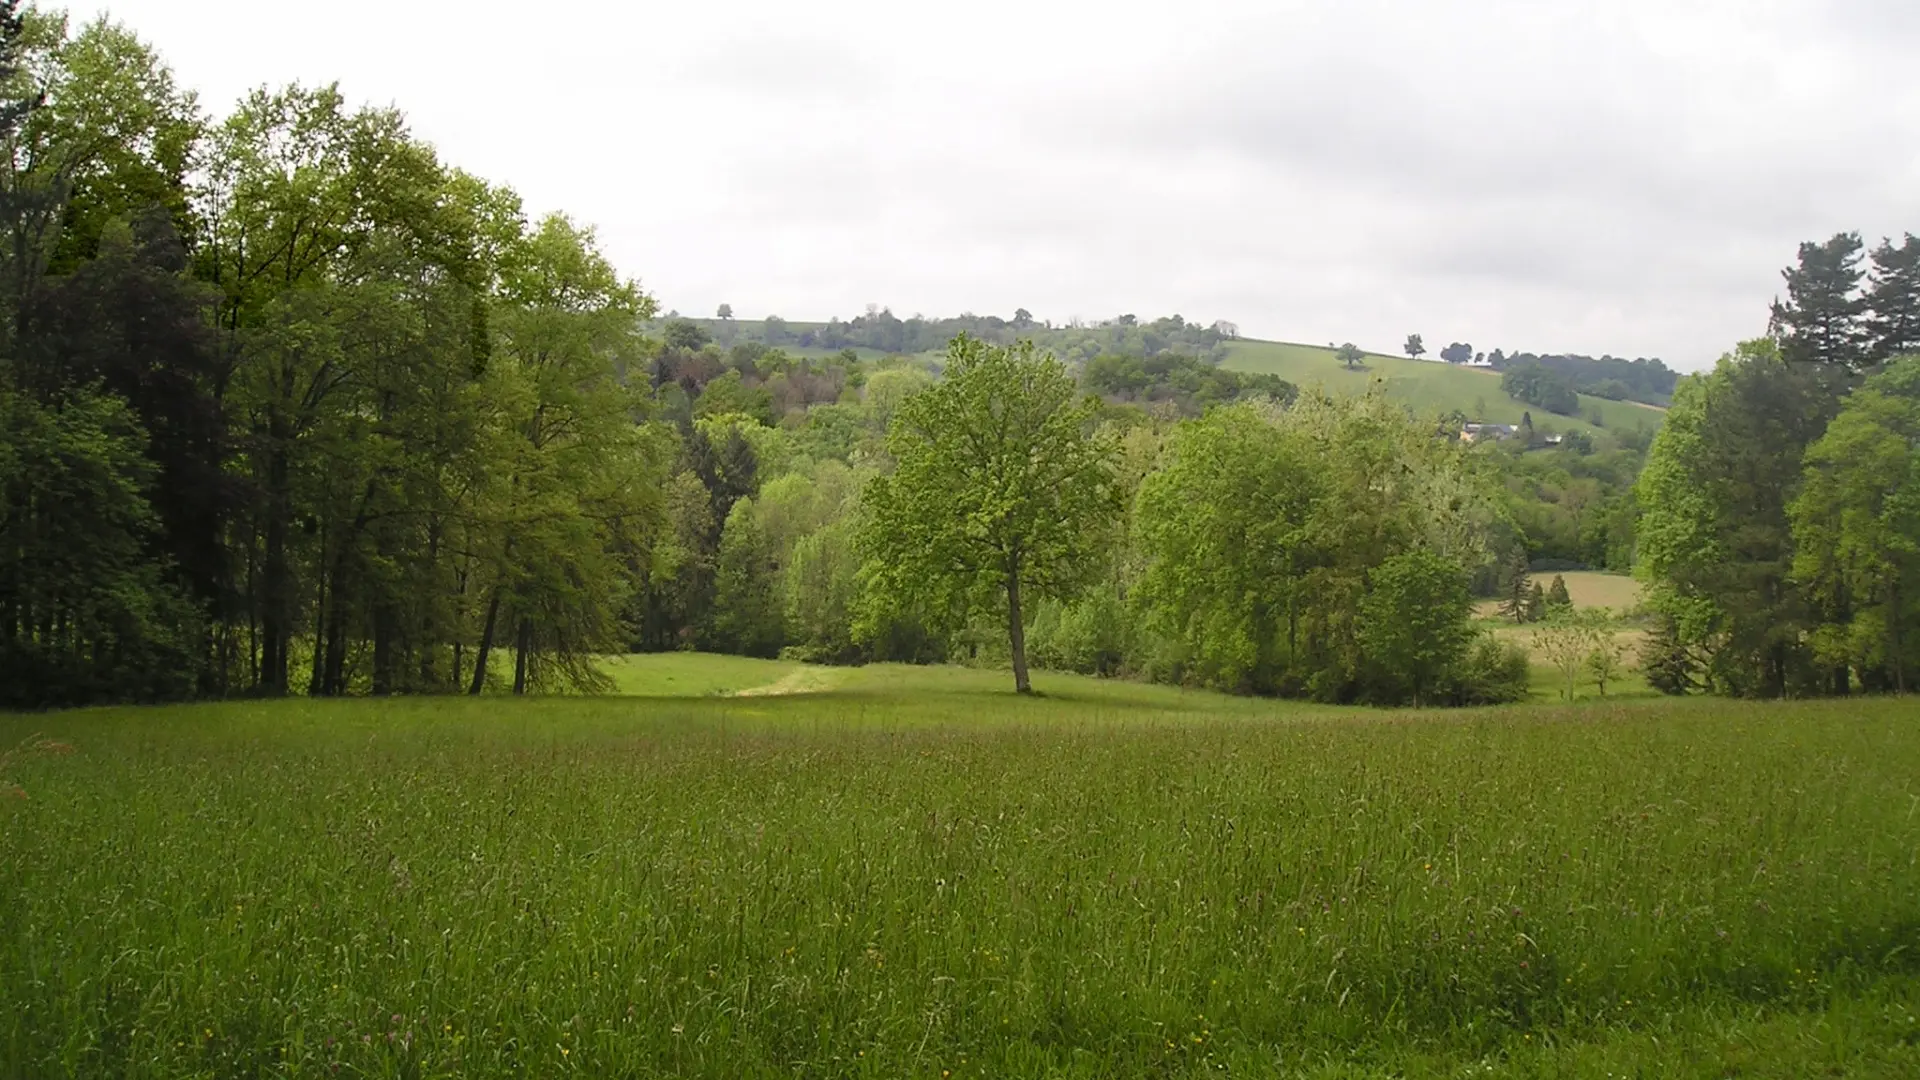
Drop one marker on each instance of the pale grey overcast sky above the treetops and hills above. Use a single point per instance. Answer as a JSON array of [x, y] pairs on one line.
[[1570, 176]]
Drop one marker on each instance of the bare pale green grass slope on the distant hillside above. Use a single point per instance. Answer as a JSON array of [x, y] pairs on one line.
[[1426, 385]]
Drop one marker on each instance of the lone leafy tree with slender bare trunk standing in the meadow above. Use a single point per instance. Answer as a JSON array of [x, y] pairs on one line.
[[1003, 489]]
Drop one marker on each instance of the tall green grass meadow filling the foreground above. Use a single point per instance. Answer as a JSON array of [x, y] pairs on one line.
[[913, 873]]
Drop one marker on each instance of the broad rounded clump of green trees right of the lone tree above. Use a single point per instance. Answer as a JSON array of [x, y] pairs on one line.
[[1262, 531]]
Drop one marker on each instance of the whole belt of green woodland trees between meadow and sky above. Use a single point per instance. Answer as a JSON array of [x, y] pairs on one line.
[[293, 406]]
